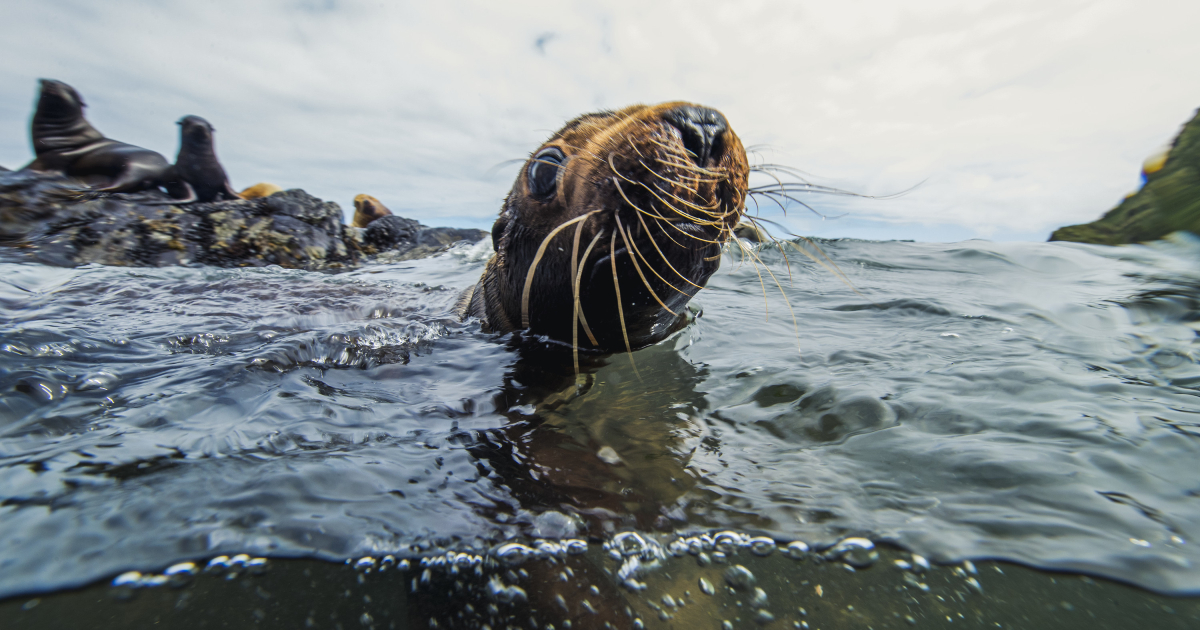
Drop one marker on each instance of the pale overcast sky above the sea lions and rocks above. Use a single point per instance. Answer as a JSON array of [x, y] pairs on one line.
[[1018, 116]]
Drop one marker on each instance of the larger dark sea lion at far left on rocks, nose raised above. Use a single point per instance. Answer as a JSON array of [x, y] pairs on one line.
[[64, 142]]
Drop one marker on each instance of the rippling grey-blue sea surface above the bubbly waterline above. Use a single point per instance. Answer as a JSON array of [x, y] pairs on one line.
[[1030, 403]]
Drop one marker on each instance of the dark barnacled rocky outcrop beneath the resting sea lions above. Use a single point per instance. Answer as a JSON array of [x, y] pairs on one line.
[[63, 224]]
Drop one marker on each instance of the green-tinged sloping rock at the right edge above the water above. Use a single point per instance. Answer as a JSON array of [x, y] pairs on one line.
[[1168, 202]]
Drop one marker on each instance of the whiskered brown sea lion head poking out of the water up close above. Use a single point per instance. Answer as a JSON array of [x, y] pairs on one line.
[[614, 225]]
